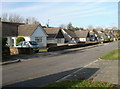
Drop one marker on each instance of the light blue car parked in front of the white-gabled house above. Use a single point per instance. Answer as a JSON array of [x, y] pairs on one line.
[[29, 44]]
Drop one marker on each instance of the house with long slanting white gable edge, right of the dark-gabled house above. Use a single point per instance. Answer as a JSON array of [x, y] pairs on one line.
[[69, 35]]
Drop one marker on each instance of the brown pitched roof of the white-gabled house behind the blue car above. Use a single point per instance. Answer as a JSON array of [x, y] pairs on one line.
[[27, 29]]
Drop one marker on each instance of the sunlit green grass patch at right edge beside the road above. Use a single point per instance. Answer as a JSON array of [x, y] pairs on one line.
[[113, 55]]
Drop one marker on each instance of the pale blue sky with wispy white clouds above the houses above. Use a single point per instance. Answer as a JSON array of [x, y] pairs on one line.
[[80, 14]]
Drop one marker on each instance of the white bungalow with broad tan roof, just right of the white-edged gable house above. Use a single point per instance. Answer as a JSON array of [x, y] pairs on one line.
[[83, 35]]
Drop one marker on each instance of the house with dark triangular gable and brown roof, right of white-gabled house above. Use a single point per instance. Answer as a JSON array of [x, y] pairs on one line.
[[55, 35]]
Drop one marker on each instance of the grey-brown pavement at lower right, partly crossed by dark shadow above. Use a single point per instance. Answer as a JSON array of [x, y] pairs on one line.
[[104, 70]]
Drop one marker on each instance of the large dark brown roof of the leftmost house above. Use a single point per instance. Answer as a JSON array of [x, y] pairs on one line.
[[9, 29]]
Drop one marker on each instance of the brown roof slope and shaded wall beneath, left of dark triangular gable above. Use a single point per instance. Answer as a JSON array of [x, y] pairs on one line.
[[51, 32]]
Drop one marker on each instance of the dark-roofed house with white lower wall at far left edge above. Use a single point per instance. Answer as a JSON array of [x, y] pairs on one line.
[[10, 31]]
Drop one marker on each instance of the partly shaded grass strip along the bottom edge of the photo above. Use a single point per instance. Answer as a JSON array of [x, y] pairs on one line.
[[80, 84]]
